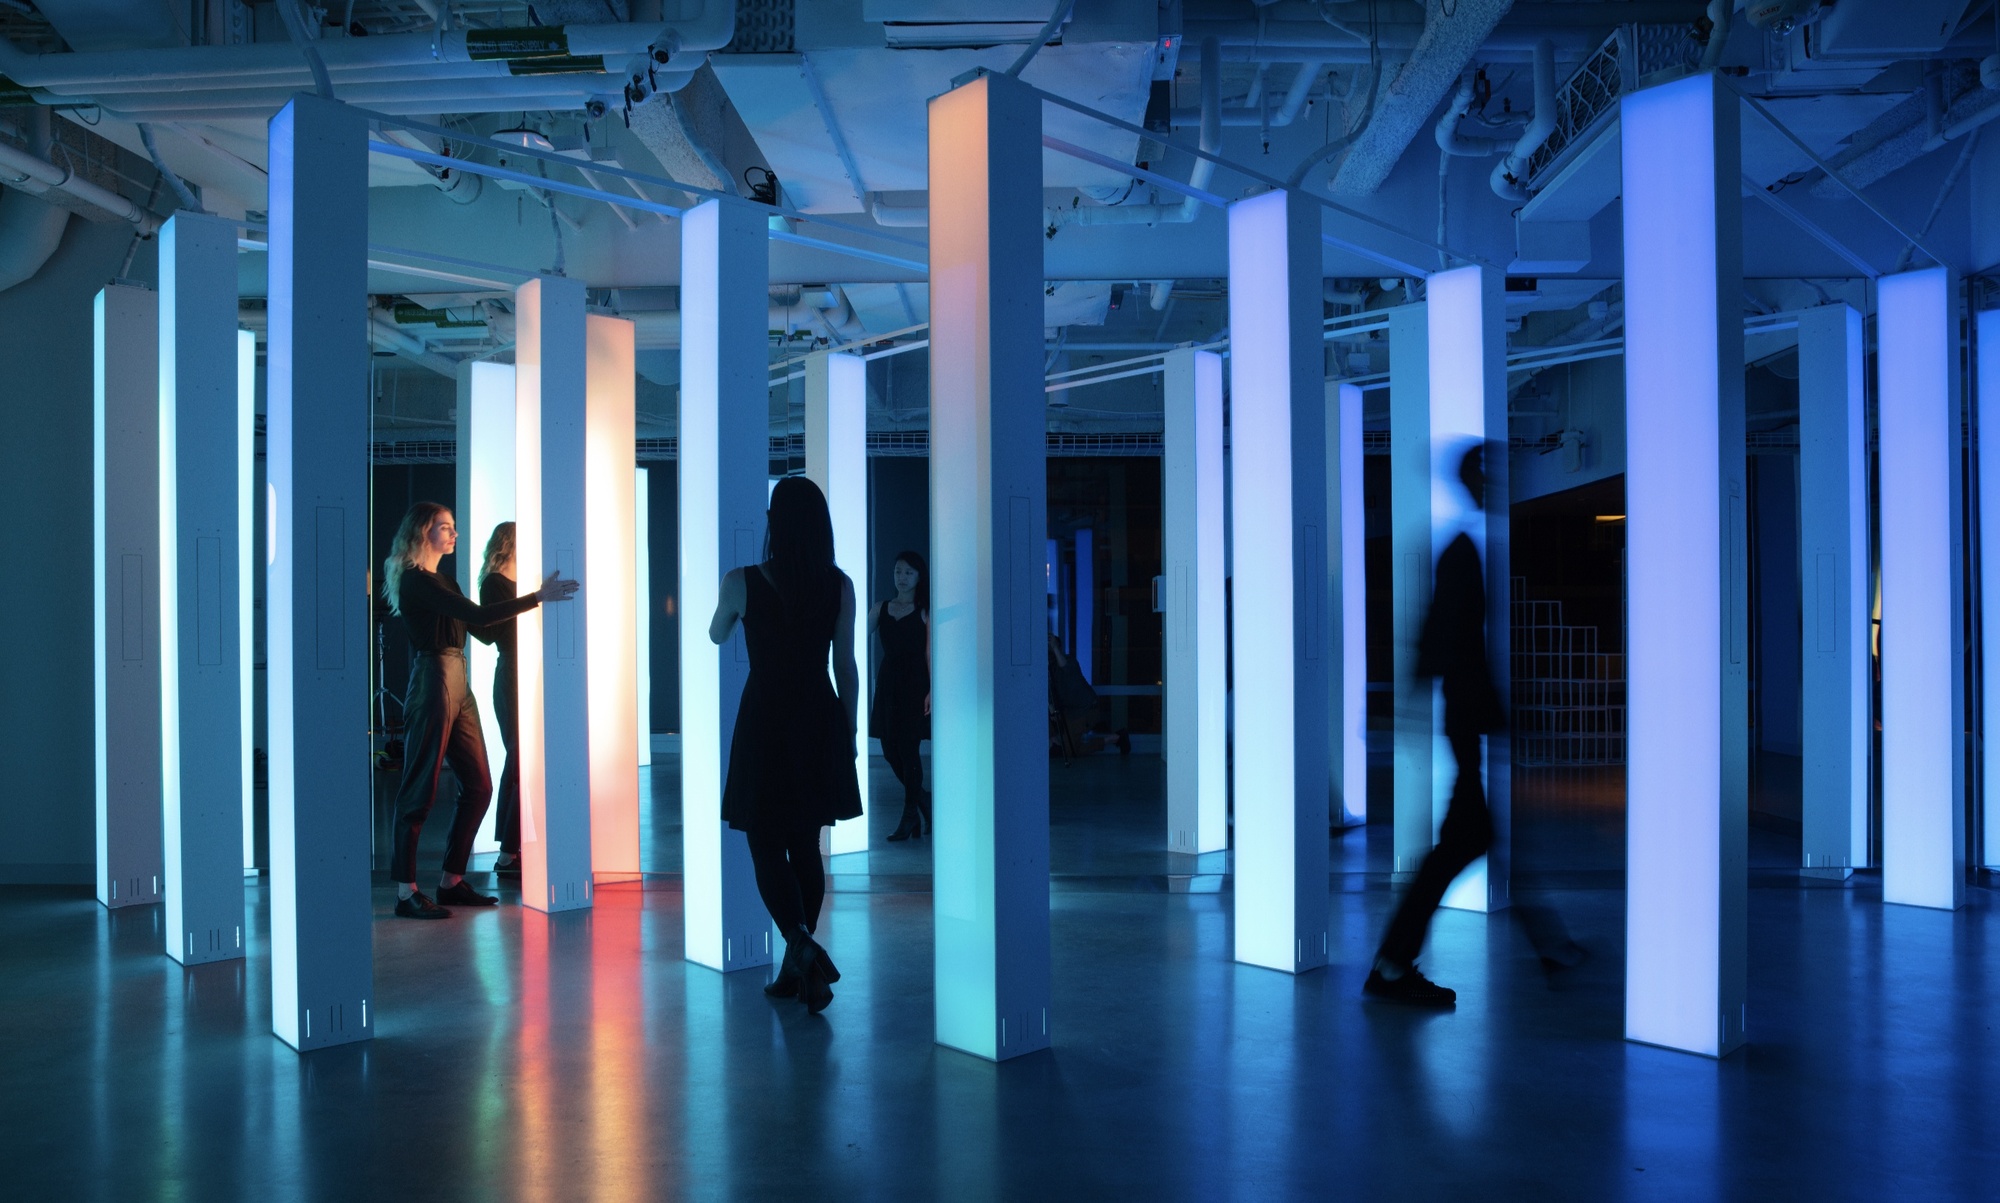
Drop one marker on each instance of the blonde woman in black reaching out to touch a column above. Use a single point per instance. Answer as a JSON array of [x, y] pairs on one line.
[[443, 720]]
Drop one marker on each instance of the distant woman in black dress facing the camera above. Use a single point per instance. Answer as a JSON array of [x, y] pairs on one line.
[[901, 716]]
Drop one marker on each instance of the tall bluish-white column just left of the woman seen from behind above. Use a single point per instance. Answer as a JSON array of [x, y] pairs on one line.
[[725, 465]]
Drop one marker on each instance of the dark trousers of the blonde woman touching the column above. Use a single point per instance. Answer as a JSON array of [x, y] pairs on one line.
[[443, 728]]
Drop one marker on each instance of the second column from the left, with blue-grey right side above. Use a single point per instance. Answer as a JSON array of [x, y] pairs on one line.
[[205, 573]]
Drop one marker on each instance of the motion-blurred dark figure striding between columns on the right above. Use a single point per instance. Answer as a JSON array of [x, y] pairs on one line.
[[1453, 652]]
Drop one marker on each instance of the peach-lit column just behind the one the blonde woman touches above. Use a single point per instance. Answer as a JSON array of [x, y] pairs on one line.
[[613, 606]]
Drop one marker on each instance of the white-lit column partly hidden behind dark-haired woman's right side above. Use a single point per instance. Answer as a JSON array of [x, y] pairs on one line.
[[837, 461]]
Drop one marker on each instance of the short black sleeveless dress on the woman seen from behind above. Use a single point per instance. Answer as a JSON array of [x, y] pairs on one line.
[[793, 756]]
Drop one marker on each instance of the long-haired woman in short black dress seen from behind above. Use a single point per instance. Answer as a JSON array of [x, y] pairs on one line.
[[793, 750]]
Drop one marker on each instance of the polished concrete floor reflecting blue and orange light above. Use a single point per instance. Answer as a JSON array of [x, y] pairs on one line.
[[581, 1058]]
